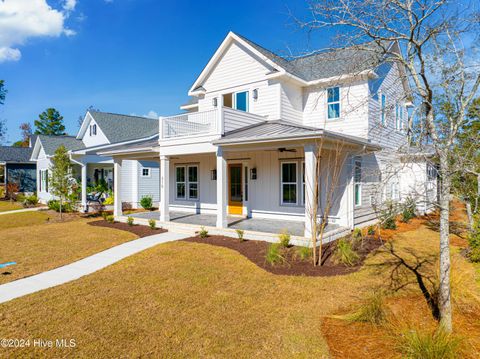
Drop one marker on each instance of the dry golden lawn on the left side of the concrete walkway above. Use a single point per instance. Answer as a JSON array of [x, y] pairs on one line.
[[46, 245]]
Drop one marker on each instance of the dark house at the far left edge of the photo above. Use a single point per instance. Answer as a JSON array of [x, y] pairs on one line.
[[17, 168]]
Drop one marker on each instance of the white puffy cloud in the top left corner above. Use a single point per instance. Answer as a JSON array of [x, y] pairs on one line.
[[24, 19]]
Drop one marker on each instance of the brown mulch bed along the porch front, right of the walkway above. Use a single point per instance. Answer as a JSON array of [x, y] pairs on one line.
[[255, 251]]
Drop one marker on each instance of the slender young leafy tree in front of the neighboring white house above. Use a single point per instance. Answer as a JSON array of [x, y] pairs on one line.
[[60, 181]]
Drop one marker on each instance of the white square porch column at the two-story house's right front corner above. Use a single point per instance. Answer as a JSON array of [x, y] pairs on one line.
[[310, 173]]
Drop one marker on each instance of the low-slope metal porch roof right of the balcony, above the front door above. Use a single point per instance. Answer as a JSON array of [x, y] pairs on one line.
[[270, 131]]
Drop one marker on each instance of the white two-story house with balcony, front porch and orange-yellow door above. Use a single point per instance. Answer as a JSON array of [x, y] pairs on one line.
[[248, 142]]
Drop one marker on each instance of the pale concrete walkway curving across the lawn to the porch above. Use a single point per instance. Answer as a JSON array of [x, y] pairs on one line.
[[82, 267]]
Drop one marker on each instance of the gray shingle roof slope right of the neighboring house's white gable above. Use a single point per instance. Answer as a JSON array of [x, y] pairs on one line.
[[119, 128]]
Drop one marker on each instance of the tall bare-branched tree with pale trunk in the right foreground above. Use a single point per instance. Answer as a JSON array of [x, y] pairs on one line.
[[437, 41]]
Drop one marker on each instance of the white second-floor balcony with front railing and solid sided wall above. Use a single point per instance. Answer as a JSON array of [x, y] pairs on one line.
[[211, 122]]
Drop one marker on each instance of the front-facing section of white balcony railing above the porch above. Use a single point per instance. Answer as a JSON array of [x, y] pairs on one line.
[[188, 124]]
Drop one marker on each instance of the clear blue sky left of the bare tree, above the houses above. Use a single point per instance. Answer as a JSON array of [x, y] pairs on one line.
[[132, 56]]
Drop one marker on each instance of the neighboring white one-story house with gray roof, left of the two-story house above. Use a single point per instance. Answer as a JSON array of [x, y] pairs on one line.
[[99, 131]]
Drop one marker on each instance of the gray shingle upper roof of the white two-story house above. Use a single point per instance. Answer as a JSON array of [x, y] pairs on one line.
[[326, 64]]
